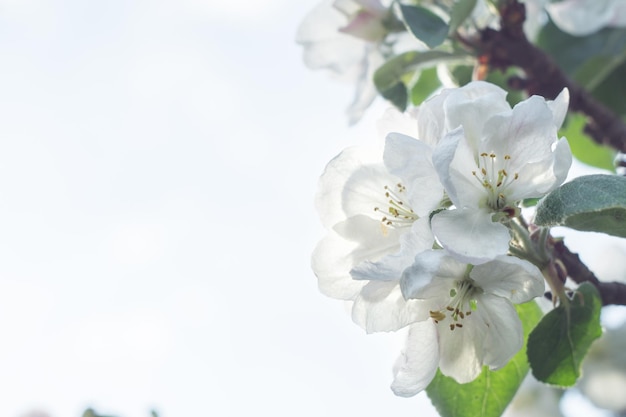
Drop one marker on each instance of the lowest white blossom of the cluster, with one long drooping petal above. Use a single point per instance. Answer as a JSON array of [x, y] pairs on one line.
[[472, 322]]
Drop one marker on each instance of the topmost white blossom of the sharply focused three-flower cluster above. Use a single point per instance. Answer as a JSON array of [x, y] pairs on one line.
[[491, 158]]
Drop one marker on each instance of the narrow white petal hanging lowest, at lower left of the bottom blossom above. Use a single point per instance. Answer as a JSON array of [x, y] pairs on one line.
[[417, 365]]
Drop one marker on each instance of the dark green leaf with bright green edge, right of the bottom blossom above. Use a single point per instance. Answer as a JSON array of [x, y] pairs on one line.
[[559, 343]]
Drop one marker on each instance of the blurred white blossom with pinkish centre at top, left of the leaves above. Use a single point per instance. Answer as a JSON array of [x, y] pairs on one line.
[[346, 37]]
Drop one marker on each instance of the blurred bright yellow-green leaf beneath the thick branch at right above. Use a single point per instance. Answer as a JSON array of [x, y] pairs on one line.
[[585, 149]]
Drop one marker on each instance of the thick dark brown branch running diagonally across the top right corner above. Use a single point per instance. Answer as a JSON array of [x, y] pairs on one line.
[[509, 47]]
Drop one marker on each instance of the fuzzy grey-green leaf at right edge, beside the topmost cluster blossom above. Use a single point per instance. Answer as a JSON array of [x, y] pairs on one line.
[[592, 203]]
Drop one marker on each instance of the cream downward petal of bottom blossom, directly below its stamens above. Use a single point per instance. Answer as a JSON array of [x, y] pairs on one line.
[[461, 350]]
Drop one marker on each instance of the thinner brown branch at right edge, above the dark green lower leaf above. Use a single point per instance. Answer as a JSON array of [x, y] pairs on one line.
[[611, 292]]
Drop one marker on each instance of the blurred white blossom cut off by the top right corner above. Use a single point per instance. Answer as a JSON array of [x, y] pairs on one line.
[[584, 17]]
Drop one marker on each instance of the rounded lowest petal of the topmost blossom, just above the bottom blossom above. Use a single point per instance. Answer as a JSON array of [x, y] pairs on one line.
[[470, 235]]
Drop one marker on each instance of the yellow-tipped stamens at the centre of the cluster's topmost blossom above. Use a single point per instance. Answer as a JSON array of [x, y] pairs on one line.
[[492, 174]]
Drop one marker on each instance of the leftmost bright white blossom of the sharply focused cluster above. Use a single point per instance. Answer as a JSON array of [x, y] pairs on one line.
[[376, 208]]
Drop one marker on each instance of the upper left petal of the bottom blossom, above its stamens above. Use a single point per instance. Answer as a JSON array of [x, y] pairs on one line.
[[432, 275]]
